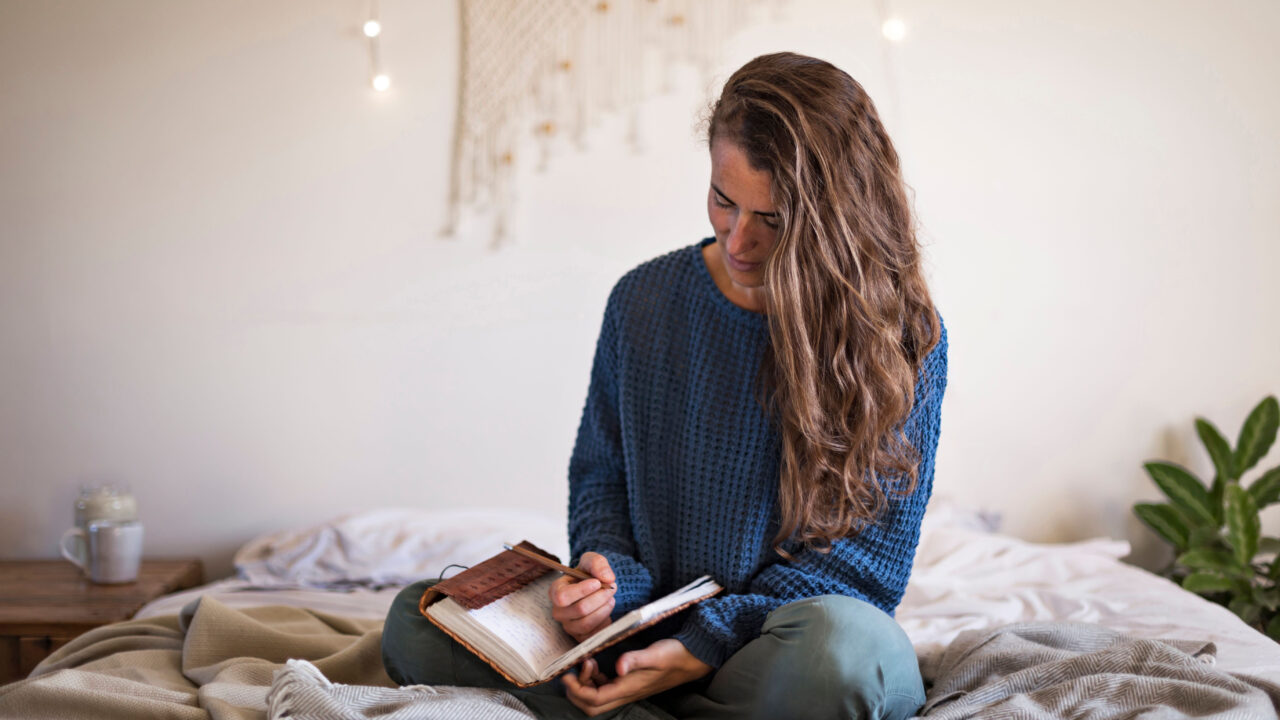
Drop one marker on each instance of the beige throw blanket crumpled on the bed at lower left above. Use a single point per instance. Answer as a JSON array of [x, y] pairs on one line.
[[209, 662]]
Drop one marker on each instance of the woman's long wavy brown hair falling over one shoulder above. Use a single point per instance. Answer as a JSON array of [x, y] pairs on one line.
[[851, 316]]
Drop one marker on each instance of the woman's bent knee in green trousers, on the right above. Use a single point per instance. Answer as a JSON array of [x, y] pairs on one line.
[[848, 657]]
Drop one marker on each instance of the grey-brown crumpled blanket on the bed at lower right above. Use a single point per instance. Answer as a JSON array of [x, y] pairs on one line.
[[1060, 671]]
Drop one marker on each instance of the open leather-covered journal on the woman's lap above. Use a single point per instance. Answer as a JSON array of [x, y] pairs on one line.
[[502, 612]]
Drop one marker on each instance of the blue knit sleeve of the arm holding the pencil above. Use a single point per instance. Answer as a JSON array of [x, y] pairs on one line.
[[598, 508]]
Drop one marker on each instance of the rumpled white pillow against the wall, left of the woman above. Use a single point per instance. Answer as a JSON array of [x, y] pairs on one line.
[[392, 546]]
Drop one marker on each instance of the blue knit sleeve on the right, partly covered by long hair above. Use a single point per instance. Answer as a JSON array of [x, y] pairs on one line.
[[872, 567]]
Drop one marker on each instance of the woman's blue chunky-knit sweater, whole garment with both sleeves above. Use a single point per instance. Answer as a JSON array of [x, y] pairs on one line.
[[675, 472]]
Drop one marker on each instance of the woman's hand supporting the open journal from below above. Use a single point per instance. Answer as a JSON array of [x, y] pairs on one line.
[[642, 673]]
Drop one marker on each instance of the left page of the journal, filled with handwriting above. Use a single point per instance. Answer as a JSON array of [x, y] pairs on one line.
[[524, 619]]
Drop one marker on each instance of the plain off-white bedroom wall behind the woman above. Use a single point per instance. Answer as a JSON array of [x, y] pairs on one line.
[[222, 281]]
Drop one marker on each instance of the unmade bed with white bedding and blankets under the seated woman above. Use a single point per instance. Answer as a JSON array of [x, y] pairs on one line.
[[301, 625]]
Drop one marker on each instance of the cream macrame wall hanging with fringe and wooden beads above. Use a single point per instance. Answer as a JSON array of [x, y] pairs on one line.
[[540, 74]]
